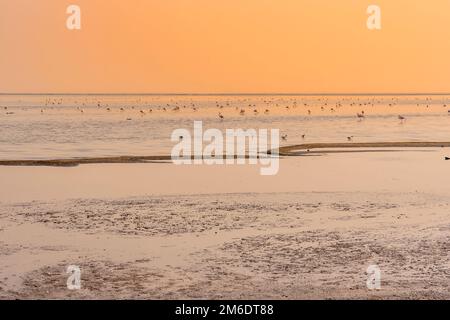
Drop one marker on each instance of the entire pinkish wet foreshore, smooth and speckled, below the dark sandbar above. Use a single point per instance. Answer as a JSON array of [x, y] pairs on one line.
[[309, 232]]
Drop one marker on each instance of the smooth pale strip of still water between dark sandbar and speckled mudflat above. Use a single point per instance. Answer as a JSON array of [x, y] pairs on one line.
[[412, 170]]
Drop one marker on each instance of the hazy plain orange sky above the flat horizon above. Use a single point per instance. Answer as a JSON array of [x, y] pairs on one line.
[[213, 46]]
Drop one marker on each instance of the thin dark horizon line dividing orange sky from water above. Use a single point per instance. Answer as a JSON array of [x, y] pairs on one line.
[[228, 94]]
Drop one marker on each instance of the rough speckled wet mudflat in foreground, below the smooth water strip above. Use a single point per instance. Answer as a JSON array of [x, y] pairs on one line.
[[237, 247]]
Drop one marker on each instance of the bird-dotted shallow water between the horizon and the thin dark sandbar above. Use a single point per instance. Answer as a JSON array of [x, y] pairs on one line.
[[48, 127]]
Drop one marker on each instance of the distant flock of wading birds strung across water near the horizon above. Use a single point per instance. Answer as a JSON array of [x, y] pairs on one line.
[[244, 106]]
